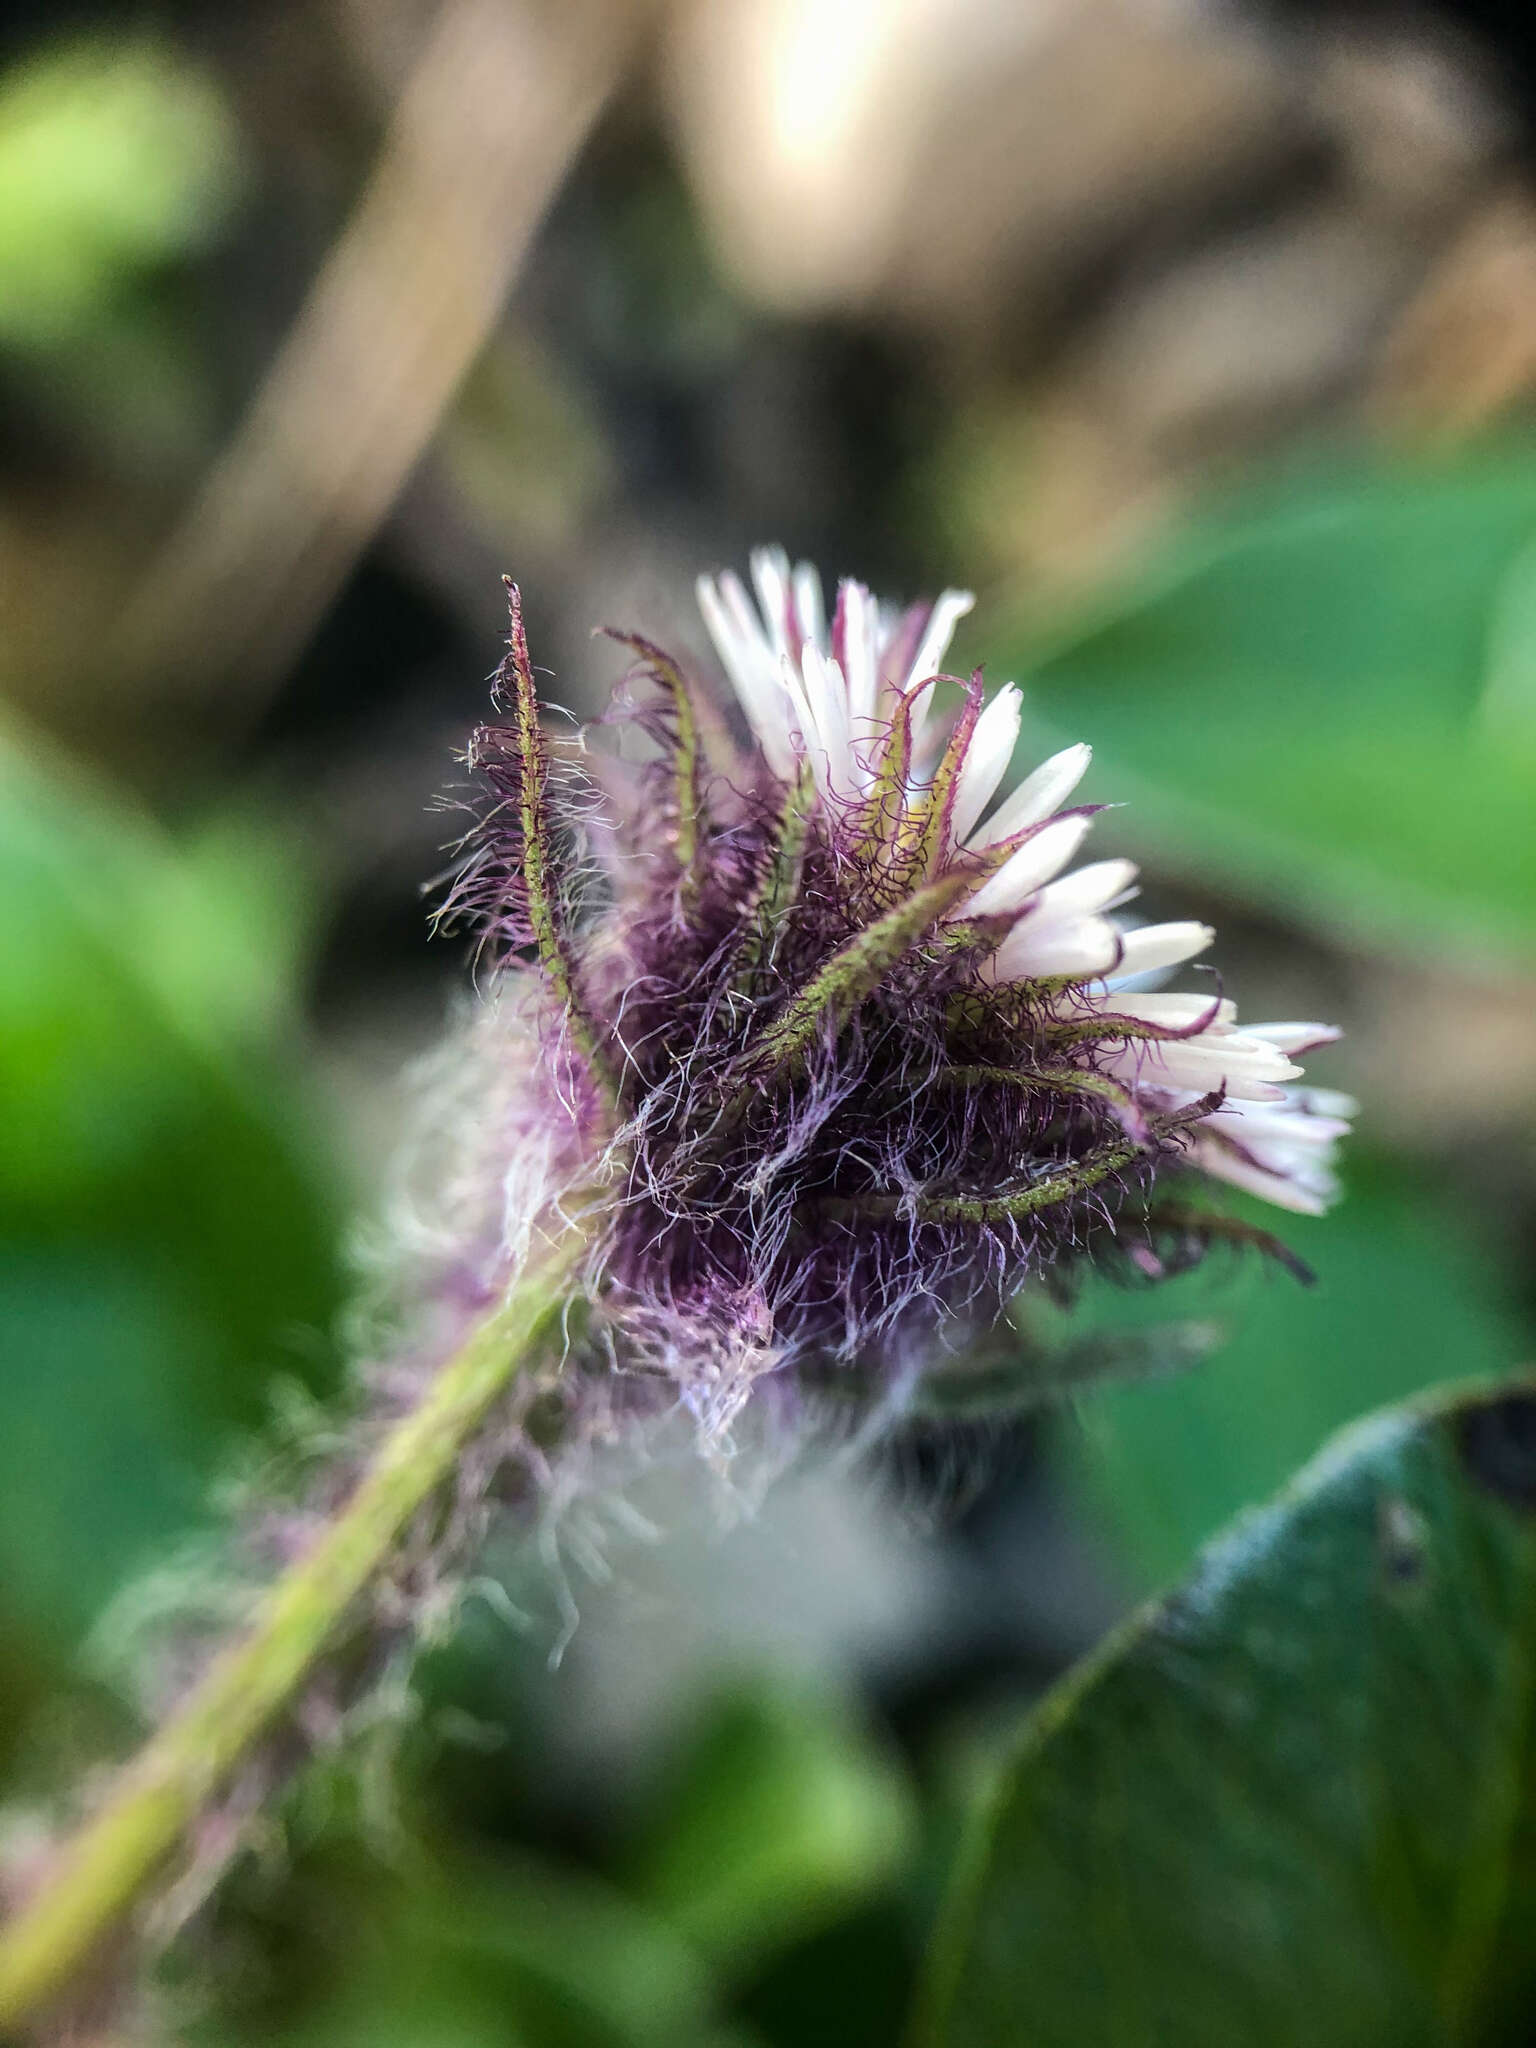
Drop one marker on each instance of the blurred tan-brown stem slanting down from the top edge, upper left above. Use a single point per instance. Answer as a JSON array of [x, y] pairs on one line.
[[495, 112]]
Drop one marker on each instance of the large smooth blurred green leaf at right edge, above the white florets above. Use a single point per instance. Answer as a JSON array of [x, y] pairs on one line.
[[1314, 699]]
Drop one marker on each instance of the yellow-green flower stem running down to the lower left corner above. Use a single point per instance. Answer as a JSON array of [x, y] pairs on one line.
[[103, 1871]]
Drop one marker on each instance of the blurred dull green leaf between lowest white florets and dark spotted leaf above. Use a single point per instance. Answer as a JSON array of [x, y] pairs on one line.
[[1402, 1291]]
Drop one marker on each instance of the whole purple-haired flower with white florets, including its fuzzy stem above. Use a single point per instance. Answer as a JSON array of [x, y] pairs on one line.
[[800, 1060]]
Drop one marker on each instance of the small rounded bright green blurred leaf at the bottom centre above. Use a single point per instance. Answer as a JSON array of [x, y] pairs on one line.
[[775, 1820]]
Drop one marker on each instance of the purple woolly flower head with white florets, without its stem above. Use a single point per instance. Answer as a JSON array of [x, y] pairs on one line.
[[851, 1048]]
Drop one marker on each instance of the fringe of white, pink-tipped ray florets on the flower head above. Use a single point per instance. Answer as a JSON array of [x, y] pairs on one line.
[[828, 693]]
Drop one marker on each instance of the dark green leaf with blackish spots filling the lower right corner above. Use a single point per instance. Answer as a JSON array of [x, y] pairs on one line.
[[1297, 1801]]
